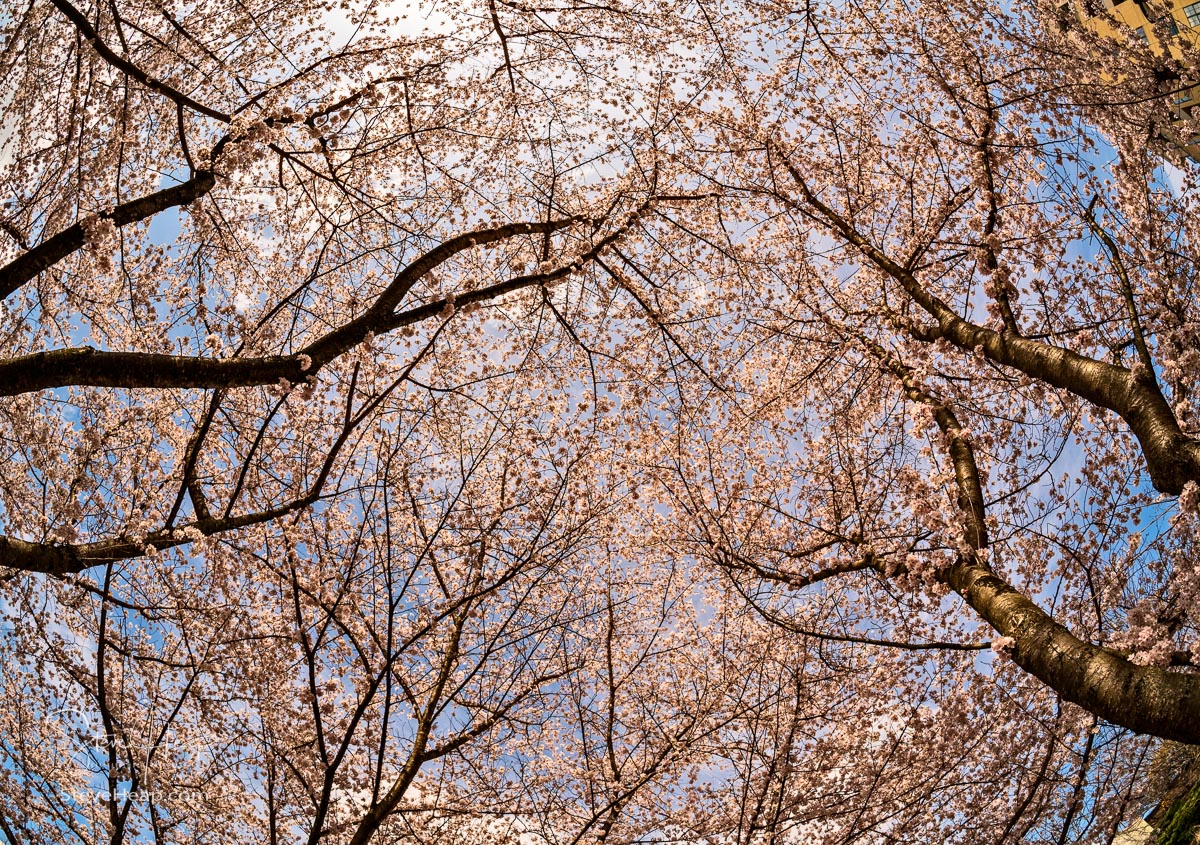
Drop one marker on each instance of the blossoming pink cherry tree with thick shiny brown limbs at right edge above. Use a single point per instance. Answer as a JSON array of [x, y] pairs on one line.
[[970, 415]]
